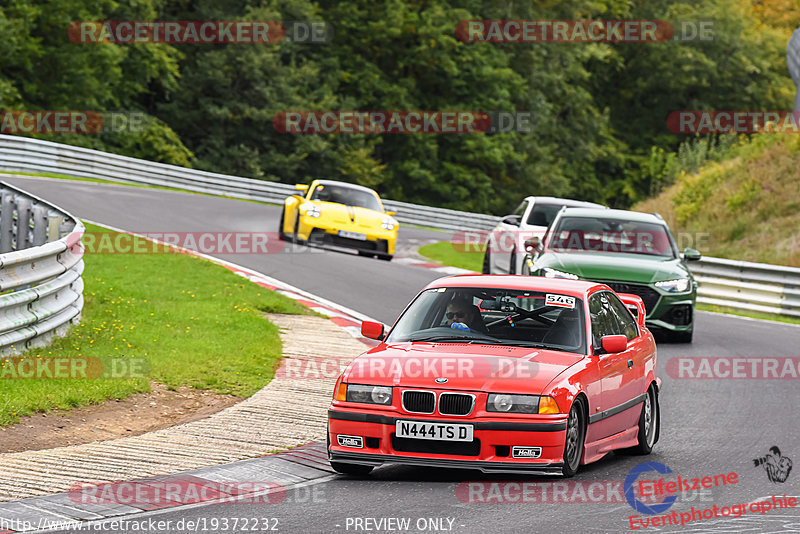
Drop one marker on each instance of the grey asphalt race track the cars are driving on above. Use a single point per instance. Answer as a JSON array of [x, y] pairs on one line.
[[709, 426]]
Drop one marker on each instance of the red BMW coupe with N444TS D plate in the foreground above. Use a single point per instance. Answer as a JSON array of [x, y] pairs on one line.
[[501, 374]]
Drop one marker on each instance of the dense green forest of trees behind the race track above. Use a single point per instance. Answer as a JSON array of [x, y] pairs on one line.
[[598, 110]]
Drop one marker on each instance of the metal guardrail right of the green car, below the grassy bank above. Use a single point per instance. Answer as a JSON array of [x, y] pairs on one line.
[[742, 285]]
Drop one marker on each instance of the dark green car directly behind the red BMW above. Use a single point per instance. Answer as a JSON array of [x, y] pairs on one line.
[[629, 251]]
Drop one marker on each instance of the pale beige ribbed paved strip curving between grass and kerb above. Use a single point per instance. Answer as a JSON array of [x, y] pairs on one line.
[[263, 424]]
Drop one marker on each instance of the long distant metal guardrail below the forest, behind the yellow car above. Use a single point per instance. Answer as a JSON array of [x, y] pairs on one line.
[[22, 154]]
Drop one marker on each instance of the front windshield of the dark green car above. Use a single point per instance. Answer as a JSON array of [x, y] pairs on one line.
[[610, 235]]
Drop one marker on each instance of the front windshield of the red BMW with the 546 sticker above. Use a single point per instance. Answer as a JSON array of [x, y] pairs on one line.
[[494, 316]]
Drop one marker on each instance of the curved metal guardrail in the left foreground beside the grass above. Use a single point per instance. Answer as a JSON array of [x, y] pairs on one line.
[[41, 262]]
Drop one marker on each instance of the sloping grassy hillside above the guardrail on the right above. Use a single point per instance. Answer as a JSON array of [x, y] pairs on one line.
[[744, 208]]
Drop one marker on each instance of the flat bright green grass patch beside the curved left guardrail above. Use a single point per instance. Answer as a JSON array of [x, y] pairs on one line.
[[194, 323]]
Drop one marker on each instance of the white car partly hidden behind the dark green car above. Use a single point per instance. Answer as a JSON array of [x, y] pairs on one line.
[[505, 246]]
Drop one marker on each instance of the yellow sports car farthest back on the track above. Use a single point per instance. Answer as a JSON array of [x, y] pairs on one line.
[[340, 214]]
